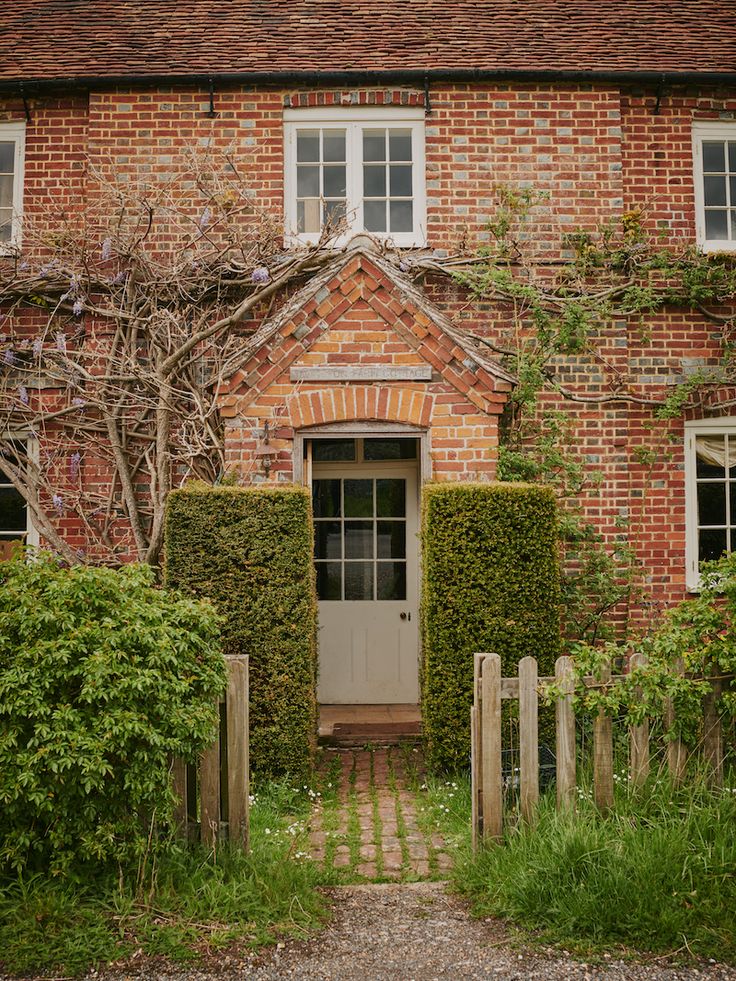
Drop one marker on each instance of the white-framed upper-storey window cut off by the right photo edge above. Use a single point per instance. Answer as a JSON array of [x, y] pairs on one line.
[[714, 154]]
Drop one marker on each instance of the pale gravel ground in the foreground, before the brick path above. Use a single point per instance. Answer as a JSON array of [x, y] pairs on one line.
[[413, 932]]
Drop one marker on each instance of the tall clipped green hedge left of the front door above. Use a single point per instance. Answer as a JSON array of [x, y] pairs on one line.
[[249, 550]]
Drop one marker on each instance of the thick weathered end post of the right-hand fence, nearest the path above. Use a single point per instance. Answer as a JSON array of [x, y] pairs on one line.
[[491, 778]]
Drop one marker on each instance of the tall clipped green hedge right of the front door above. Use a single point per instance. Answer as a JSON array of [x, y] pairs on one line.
[[490, 582]]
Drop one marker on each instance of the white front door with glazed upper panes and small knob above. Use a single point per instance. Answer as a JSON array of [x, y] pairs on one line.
[[366, 559]]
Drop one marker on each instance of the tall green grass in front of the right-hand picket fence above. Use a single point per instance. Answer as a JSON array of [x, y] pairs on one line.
[[657, 874]]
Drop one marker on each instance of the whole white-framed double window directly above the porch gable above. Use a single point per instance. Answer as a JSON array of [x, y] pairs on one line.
[[364, 165]]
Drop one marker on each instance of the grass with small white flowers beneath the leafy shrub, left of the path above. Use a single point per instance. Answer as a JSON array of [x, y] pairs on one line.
[[196, 902]]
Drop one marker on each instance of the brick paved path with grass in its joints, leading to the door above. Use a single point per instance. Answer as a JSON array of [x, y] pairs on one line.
[[367, 824]]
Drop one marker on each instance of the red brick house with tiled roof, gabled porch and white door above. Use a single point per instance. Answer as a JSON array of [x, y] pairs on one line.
[[366, 381]]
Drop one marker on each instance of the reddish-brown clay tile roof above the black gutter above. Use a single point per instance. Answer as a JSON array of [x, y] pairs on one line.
[[53, 39]]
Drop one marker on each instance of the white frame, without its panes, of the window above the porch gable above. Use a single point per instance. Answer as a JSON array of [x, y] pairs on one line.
[[354, 121]]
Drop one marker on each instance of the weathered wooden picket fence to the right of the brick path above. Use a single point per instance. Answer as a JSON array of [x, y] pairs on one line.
[[489, 689]]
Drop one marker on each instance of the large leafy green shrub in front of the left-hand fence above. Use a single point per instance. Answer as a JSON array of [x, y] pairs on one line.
[[102, 679]]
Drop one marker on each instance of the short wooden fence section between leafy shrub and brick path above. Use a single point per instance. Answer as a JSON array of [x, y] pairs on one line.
[[214, 796]]
